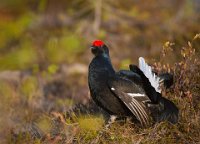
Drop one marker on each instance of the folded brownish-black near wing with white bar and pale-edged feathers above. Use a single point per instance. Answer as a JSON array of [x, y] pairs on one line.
[[132, 96]]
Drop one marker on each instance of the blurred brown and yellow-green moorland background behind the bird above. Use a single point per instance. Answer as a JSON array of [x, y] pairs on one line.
[[44, 48]]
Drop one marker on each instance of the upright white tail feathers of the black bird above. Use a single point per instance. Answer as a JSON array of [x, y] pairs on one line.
[[147, 70]]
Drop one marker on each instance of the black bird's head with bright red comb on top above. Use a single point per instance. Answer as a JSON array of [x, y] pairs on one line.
[[98, 47]]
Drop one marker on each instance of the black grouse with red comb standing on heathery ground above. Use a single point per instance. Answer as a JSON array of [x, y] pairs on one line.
[[134, 93]]
